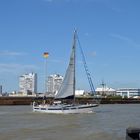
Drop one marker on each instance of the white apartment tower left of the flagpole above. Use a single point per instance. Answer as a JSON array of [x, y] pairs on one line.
[[28, 83]]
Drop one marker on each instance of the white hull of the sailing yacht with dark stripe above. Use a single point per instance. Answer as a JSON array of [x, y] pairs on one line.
[[64, 109]]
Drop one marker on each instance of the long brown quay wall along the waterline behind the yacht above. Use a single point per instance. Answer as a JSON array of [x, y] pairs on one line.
[[29, 100]]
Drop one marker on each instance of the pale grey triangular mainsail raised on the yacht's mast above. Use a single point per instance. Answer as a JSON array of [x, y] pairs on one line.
[[67, 89]]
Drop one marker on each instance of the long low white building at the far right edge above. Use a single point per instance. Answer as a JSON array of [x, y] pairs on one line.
[[128, 92]]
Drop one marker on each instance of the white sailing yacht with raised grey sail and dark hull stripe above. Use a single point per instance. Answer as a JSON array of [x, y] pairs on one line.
[[67, 90]]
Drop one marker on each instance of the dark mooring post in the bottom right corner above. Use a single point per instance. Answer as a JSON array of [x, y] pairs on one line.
[[132, 133]]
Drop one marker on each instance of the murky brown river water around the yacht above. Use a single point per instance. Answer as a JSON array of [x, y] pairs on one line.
[[109, 122]]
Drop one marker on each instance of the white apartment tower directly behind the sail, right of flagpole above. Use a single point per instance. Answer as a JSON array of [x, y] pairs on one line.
[[54, 82]]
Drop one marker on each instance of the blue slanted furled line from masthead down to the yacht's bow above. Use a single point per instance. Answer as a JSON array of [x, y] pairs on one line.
[[86, 68]]
